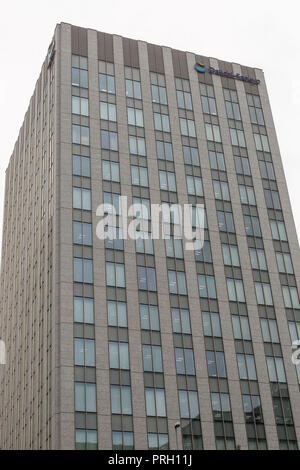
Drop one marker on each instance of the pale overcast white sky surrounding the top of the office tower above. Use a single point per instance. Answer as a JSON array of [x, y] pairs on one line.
[[261, 33]]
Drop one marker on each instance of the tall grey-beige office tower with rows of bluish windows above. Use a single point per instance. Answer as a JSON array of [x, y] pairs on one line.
[[112, 343]]
